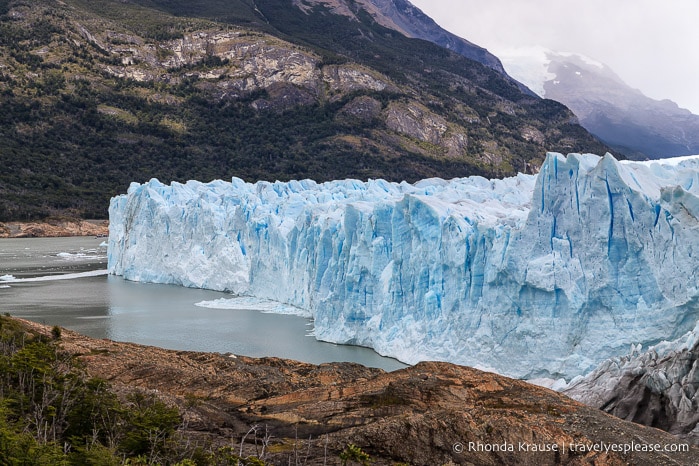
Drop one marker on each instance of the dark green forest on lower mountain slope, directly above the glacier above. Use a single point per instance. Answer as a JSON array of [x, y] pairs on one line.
[[82, 156]]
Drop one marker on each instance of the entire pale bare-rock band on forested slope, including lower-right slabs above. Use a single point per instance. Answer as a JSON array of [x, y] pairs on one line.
[[243, 63]]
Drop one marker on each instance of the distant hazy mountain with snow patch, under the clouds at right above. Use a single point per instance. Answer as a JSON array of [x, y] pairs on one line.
[[624, 118]]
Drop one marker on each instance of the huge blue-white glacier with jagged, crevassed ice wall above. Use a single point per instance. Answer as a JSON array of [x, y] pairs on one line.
[[530, 276]]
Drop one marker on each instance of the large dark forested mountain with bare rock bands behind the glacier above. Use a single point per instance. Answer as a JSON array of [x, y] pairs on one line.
[[97, 94]]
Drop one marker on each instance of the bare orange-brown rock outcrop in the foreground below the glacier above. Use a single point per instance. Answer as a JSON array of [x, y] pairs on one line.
[[431, 413]]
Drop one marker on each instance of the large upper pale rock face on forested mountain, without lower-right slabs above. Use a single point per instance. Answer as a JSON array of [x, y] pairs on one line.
[[239, 62]]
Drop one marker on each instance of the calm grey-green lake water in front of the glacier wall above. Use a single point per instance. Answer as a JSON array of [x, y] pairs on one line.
[[161, 315]]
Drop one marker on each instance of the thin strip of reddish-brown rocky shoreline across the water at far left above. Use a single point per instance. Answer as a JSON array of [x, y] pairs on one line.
[[52, 228]]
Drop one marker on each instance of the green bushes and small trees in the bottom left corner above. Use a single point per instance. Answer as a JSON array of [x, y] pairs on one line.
[[52, 413]]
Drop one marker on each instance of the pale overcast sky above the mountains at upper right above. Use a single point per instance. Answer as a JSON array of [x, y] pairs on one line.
[[653, 45]]
